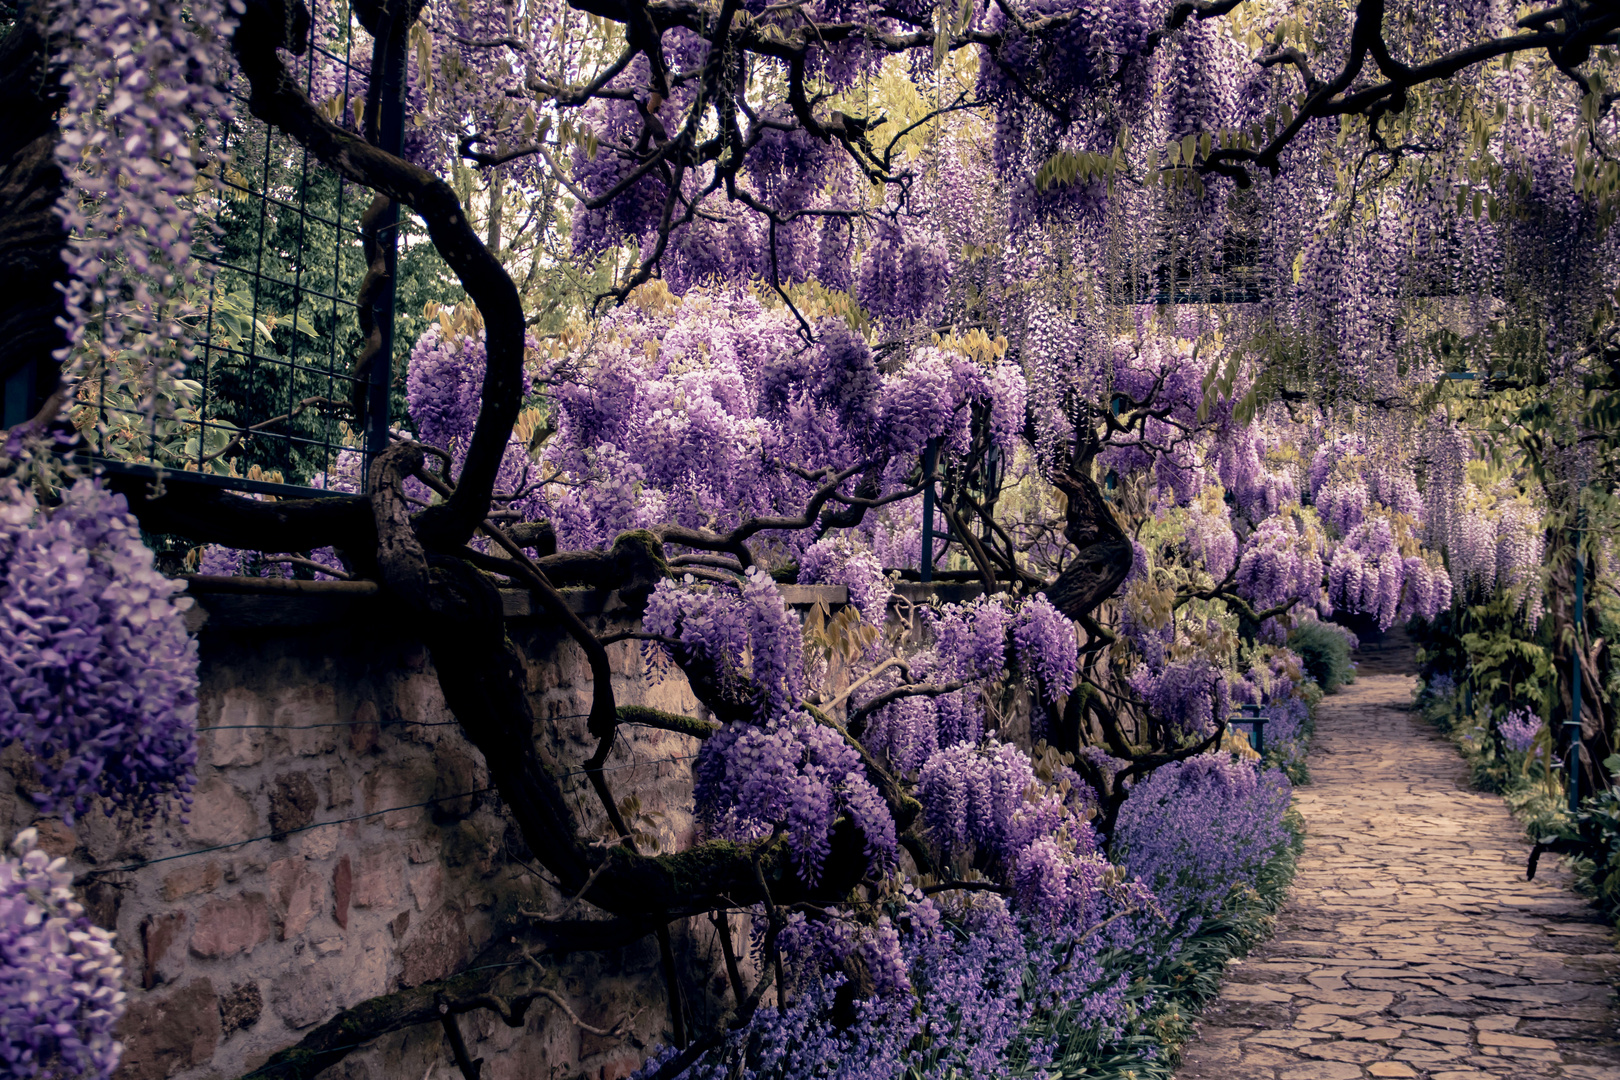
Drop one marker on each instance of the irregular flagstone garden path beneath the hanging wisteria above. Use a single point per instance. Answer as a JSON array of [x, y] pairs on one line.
[[1412, 945]]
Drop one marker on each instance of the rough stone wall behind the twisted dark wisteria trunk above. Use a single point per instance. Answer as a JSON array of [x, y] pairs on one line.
[[341, 846]]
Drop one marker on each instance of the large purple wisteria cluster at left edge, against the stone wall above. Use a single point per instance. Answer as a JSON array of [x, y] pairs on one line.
[[98, 673]]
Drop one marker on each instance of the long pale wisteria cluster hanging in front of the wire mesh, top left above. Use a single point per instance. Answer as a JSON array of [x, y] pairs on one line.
[[143, 82]]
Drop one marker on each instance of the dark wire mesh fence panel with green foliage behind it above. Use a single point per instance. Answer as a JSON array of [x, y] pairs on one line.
[[268, 399]]
